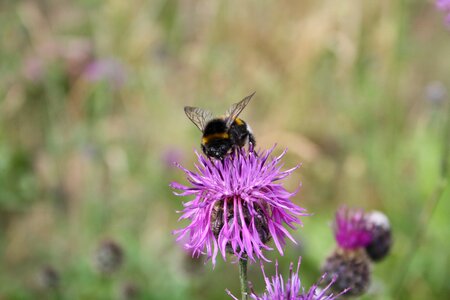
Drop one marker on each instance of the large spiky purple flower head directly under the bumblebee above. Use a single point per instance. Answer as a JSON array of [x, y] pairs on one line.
[[239, 205]]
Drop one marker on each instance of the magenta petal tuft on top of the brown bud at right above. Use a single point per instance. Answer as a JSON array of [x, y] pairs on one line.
[[351, 228]]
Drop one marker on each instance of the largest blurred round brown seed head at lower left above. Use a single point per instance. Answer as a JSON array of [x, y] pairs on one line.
[[108, 257]]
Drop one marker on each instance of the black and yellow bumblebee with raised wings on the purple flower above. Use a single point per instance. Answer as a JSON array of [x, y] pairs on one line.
[[221, 135]]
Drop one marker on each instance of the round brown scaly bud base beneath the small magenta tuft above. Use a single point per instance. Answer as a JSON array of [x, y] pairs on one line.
[[352, 270]]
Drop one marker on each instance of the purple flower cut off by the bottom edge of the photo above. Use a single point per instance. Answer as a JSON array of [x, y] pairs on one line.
[[277, 289]]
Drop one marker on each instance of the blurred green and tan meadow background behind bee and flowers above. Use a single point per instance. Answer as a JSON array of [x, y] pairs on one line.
[[91, 114]]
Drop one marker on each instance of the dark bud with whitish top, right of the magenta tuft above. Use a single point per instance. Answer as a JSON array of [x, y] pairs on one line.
[[381, 242]]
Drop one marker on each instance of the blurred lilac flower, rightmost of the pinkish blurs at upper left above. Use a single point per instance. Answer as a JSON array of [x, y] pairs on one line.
[[109, 70]]
